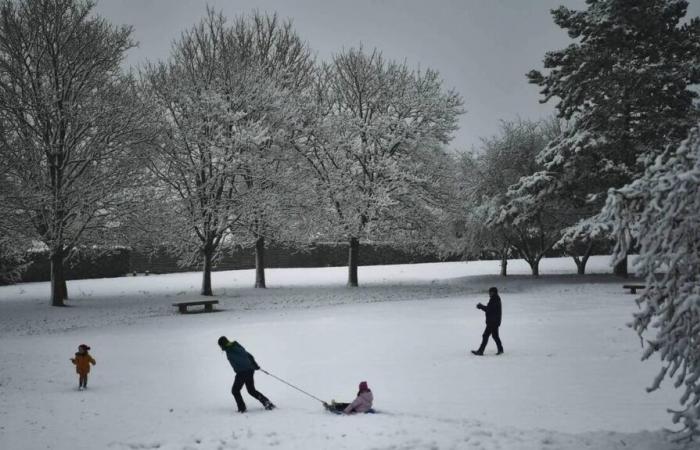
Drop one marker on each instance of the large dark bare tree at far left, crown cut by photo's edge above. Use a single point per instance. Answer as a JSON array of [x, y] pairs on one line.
[[71, 125]]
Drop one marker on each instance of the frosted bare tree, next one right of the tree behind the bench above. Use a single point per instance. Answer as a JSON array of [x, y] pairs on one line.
[[265, 43]]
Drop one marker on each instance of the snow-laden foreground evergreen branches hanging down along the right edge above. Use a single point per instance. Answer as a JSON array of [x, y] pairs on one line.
[[661, 211]]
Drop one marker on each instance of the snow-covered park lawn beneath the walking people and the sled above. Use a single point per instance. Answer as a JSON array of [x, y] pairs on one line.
[[571, 377]]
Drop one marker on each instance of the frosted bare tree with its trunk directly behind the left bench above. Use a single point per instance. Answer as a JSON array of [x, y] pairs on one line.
[[192, 160]]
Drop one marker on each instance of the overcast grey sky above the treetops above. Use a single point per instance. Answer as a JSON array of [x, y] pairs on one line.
[[482, 48]]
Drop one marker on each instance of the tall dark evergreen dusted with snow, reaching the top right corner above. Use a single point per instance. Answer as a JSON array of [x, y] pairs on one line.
[[625, 82]]
